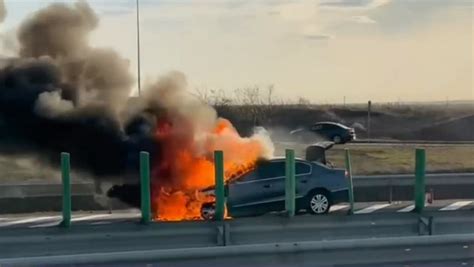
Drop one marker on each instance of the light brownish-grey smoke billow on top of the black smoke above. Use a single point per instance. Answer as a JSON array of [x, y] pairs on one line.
[[94, 76]]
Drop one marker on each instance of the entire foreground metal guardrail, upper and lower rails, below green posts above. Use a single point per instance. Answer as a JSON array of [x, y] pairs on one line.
[[356, 239]]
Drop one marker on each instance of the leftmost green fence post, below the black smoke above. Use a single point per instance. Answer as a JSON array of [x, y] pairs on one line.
[[66, 179]]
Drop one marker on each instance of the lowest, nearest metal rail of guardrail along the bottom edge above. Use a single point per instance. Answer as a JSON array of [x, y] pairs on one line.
[[404, 249]]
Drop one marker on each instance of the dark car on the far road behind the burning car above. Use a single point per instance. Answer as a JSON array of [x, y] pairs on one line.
[[331, 131]]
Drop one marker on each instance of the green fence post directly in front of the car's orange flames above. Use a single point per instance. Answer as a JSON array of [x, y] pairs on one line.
[[219, 179]]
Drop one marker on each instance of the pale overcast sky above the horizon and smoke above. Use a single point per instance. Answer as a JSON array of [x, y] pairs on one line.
[[384, 50]]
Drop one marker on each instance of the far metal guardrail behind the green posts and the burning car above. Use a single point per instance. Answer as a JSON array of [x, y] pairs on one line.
[[47, 197]]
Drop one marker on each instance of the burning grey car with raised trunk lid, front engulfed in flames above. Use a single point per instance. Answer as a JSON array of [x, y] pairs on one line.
[[257, 189]]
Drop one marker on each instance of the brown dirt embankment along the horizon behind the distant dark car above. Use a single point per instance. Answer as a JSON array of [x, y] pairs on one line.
[[407, 122]]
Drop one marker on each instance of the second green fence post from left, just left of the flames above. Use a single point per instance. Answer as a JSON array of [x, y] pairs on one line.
[[145, 187]]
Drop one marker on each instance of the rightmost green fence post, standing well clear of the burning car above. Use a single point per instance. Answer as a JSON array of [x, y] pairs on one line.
[[420, 168]]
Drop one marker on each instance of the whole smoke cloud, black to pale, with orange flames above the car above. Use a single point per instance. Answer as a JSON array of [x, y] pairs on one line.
[[61, 94]]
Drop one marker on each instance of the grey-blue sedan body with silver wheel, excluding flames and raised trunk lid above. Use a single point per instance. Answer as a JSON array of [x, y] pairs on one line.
[[262, 190]]
